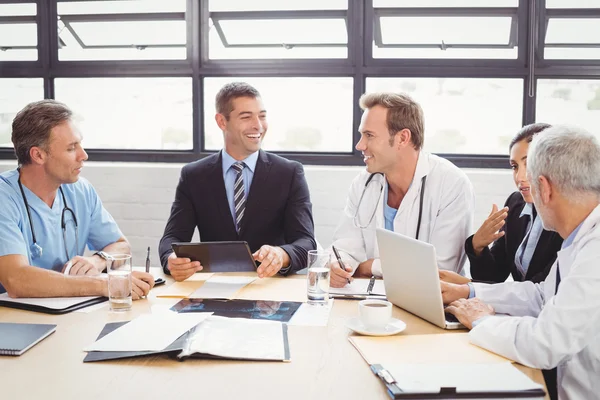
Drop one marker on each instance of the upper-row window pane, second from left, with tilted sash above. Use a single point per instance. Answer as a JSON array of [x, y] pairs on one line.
[[157, 30]]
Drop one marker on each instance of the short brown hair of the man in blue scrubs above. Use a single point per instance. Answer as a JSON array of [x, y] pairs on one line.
[[33, 124]]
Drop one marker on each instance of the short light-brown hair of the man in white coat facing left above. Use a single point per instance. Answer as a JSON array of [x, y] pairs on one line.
[[403, 113]]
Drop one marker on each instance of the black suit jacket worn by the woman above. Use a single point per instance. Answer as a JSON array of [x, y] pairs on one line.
[[497, 263]]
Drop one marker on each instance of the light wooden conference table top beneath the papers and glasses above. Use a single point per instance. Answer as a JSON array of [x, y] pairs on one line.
[[324, 364]]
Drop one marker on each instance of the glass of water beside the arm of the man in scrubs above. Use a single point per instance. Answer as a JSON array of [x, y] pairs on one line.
[[119, 282]]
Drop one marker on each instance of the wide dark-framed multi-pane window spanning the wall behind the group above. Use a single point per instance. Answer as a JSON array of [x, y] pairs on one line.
[[141, 75]]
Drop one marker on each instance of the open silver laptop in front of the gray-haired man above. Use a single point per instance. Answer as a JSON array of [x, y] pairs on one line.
[[411, 277]]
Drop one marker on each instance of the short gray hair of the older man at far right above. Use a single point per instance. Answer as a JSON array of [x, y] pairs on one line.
[[569, 157]]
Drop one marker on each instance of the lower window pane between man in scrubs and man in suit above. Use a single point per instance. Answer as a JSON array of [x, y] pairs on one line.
[[131, 113]]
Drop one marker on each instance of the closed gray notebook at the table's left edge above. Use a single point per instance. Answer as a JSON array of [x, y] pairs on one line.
[[16, 339]]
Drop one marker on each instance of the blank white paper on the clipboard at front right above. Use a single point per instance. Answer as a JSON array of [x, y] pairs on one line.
[[464, 377]]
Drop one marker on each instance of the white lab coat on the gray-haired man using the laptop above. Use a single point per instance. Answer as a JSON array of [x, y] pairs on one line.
[[549, 330]]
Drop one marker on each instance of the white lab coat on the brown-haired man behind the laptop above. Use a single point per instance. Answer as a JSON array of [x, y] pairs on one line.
[[446, 221]]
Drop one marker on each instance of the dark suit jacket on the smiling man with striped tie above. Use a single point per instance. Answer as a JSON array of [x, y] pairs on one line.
[[278, 208]]
